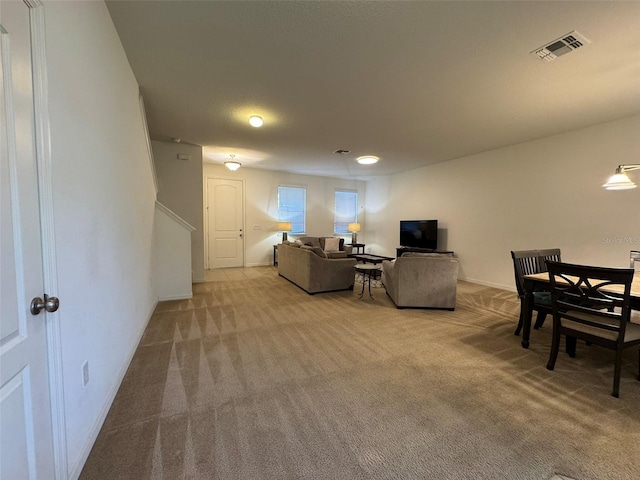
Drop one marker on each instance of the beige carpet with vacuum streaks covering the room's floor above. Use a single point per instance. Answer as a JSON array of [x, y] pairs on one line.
[[255, 379]]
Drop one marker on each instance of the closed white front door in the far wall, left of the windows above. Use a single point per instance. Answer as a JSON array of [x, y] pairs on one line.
[[225, 231]]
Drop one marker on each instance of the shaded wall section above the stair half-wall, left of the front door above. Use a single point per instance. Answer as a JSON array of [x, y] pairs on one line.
[[179, 189]]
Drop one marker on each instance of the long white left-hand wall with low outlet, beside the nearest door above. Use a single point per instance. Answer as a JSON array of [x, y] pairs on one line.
[[103, 202]]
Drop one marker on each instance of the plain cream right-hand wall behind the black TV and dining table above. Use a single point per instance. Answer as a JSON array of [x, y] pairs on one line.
[[540, 194]]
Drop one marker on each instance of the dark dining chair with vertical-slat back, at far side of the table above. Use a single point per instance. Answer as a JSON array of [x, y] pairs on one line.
[[527, 262]]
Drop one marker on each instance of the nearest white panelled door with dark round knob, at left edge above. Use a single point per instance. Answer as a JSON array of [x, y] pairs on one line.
[[26, 444]]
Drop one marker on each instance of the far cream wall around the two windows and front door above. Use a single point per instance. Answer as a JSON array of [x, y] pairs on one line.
[[261, 206]]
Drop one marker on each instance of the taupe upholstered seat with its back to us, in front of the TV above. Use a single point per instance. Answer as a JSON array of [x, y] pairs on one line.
[[425, 280]]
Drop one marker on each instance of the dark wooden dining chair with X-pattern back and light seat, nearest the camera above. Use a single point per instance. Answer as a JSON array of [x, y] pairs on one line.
[[584, 307]]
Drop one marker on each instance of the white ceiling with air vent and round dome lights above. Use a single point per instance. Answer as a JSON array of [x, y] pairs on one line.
[[415, 83]]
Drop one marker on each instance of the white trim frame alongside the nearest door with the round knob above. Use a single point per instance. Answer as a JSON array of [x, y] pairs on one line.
[[49, 260]]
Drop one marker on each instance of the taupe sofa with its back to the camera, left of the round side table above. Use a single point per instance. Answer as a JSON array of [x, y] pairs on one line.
[[309, 268]]
